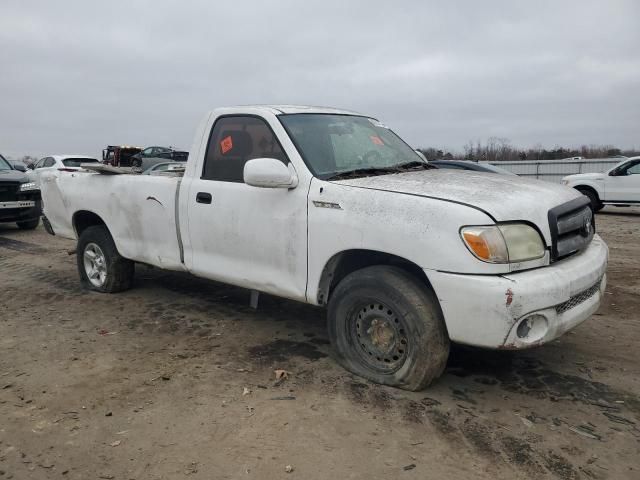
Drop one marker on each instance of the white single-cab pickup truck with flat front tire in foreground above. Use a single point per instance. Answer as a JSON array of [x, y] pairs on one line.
[[332, 208]]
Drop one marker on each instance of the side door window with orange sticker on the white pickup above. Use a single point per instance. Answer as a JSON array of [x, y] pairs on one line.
[[234, 141]]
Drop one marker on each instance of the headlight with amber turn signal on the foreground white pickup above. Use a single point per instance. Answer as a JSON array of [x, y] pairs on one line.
[[506, 243]]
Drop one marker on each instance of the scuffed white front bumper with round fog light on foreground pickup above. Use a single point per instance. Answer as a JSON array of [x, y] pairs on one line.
[[523, 309]]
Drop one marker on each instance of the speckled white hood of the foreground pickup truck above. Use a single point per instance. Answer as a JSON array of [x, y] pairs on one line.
[[503, 197]]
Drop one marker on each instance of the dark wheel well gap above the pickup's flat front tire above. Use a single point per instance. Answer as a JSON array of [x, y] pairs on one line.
[[343, 263]]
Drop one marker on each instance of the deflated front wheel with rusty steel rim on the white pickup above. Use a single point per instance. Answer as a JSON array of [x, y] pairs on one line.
[[387, 326]]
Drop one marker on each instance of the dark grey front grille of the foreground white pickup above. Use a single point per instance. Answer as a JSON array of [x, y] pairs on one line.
[[572, 227]]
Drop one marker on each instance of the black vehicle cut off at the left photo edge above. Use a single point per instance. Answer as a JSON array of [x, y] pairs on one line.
[[20, 200]]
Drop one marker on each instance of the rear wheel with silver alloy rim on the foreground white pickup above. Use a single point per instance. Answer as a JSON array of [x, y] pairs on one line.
[[100, 266]]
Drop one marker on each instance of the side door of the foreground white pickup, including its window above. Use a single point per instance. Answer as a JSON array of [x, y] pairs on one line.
[[239, 234]]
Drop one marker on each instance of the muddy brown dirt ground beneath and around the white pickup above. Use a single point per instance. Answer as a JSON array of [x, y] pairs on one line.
[[175, 379]]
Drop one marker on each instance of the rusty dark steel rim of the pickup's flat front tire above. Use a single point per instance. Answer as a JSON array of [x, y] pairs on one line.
[[379, 336]]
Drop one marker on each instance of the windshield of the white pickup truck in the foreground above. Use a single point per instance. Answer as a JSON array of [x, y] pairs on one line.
[[334, 144]]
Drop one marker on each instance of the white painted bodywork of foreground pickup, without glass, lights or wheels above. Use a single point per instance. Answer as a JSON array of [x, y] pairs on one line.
[[279, 241]]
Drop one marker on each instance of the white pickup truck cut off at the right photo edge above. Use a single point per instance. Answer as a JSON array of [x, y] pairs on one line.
[[618, 186]]
